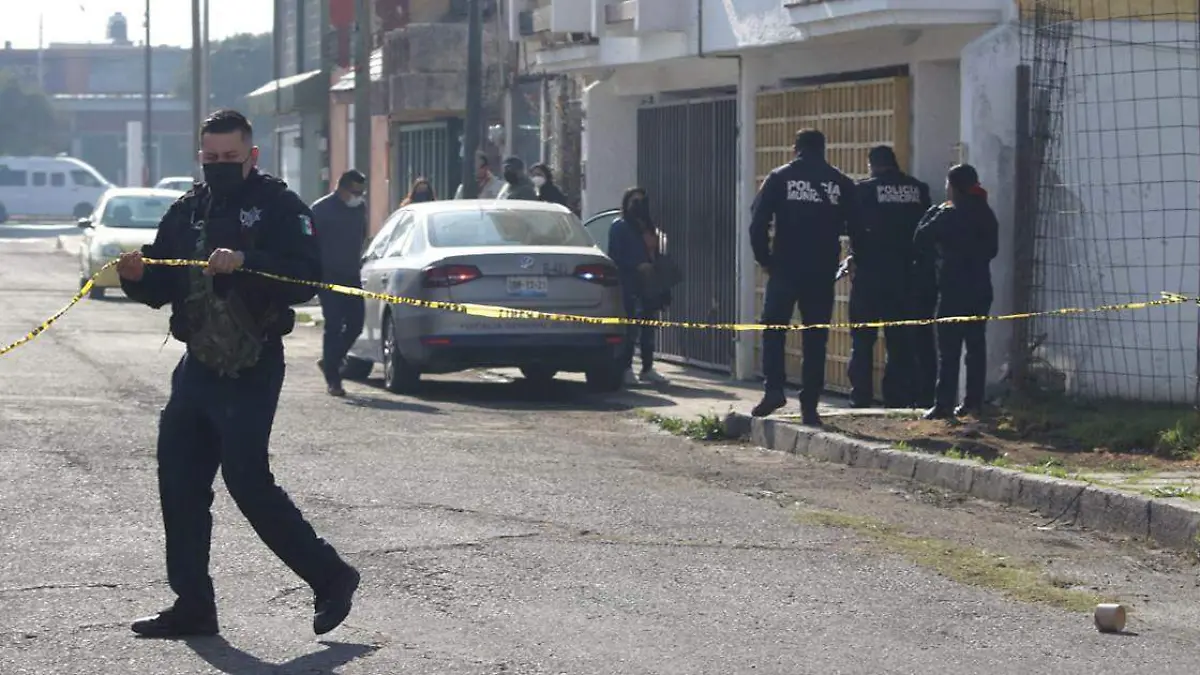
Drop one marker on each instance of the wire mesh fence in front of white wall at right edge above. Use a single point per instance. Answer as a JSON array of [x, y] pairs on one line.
[[1112, 205]]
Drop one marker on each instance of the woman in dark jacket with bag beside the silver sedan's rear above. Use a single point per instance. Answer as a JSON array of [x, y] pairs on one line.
[[634, 247]]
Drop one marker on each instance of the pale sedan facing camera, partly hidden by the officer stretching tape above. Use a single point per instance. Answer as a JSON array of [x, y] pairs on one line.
[[125, 220]]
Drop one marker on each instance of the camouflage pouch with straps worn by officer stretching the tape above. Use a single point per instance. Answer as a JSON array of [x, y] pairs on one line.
[[223, 333]]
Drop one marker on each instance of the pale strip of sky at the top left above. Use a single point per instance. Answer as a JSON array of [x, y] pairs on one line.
[[86, 21]]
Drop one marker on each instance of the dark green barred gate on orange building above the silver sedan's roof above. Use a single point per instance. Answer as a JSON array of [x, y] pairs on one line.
[[429, 150]]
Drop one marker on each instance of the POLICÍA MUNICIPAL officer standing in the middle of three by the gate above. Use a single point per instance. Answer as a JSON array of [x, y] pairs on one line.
[[891, 204]]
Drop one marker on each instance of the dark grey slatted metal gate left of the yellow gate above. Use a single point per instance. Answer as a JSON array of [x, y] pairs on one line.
[[687, 162]]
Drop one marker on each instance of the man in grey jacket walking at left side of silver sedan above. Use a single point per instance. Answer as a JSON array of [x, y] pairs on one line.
[[341, 218]]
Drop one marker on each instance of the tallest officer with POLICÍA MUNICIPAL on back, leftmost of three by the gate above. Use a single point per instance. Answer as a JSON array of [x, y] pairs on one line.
[[812, 205]]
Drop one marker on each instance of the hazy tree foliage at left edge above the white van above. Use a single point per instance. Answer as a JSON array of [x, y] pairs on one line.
[[28, 124]]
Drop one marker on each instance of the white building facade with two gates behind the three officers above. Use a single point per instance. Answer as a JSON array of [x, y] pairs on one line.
[[699, 100]]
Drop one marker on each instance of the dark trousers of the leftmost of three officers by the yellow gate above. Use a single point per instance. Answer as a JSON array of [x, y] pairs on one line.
[[814, 297]]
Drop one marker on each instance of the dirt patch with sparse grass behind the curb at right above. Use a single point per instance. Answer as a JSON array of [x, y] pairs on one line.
[[1057, 434]]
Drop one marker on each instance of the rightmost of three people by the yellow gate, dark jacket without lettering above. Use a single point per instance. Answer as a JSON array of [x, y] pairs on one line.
[[961, 238]]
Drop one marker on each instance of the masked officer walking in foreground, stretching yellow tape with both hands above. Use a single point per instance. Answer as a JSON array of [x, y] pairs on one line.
[[226, 389]]
